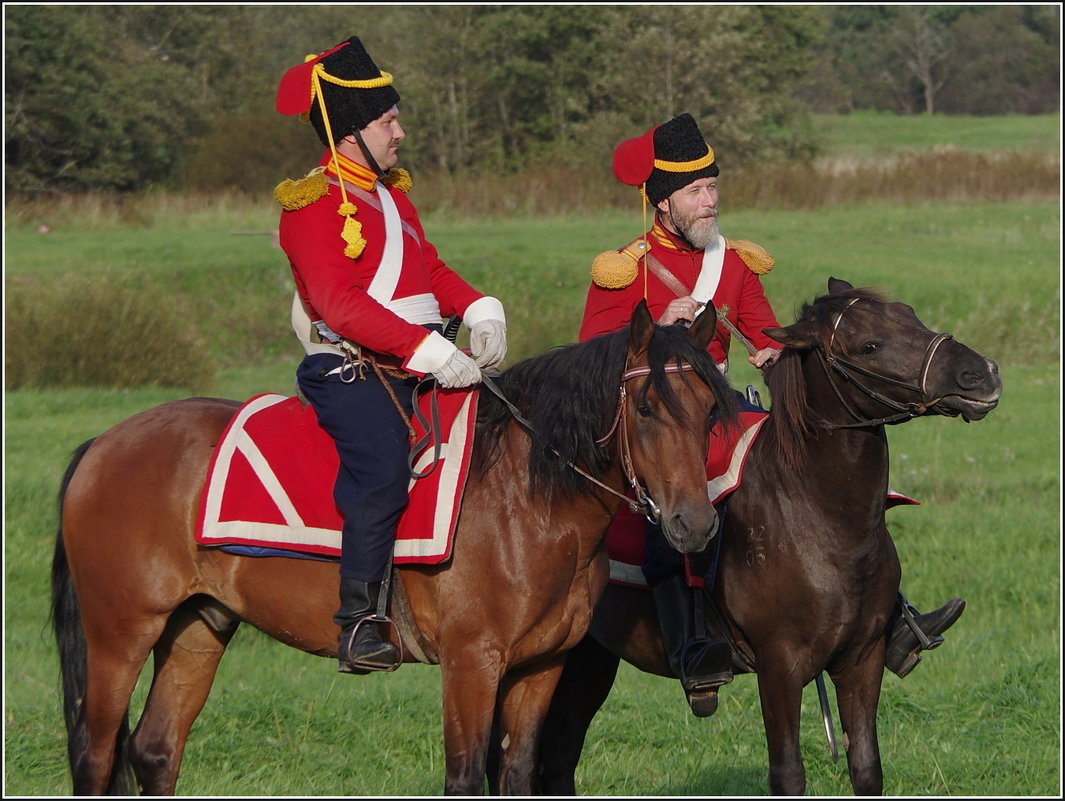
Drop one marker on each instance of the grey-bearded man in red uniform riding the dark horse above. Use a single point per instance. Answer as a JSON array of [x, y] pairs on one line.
[[681, 266]]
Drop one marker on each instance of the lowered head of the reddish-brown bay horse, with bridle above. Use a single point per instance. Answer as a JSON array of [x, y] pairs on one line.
[[669, 390]]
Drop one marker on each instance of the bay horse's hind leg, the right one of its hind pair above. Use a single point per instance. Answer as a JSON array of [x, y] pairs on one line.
[[187, 659]]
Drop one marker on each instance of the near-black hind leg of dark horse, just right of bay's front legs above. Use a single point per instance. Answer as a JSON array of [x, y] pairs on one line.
[[587, 679]]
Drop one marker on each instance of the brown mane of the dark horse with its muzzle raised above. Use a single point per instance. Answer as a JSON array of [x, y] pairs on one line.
[[793, 422]]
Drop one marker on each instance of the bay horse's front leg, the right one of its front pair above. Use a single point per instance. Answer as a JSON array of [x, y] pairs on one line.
[[526, 699]]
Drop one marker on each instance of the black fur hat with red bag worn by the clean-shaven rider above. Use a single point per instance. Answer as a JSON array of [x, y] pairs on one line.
[[347, 83]]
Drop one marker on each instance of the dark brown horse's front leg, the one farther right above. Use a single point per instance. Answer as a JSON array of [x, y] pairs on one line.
[[858, 695]]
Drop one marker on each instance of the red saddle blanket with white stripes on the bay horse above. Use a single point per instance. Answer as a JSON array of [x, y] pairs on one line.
[[272, 479]]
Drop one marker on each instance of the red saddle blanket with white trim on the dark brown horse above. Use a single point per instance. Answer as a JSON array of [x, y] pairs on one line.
[[727, 455]]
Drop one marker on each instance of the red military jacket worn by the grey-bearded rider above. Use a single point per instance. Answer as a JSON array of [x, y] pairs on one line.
[[739, 291]]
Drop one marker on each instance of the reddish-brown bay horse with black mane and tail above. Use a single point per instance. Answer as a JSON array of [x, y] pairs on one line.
[[129, 581]]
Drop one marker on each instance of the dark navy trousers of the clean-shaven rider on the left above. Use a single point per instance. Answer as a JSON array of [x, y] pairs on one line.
[[372, 443]]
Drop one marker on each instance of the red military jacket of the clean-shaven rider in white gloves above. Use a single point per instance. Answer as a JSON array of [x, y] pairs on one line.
[[338, 289]]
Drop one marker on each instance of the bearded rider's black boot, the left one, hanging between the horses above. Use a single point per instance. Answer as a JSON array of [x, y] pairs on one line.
[[702, 664]]
